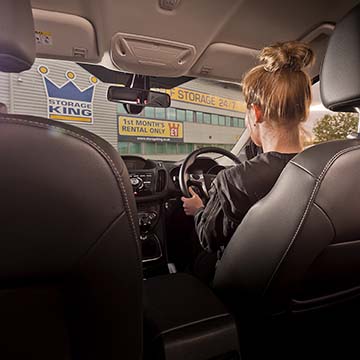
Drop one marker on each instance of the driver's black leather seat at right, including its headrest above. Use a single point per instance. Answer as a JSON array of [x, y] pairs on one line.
[[296, 255]]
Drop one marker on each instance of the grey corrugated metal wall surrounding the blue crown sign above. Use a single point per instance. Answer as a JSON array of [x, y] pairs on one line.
[[30, 96]]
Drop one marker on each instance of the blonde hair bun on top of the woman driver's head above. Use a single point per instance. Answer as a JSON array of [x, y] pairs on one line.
[[292, 55]]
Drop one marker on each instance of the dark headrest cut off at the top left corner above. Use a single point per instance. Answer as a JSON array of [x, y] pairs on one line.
[[17, 36]]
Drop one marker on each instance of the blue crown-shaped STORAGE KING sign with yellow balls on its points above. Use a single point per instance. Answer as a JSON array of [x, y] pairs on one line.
[[68, 102]]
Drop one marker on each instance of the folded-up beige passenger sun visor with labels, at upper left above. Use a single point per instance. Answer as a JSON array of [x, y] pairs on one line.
[[64, 36]]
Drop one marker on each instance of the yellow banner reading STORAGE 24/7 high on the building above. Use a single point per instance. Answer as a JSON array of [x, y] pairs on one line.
[[199, 98]]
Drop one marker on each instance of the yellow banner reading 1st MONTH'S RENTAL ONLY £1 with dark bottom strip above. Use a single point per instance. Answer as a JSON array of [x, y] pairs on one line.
[[142, 129]]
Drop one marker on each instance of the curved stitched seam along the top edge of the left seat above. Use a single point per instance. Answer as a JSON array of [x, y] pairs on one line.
[[98, 148]]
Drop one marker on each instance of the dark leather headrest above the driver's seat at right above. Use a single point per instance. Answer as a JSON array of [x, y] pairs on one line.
[[339, 78]]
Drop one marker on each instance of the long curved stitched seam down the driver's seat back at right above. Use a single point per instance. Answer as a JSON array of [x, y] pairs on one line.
[[316, 187]]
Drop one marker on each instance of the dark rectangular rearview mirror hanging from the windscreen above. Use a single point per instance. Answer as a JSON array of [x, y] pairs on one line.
[[138, 97]]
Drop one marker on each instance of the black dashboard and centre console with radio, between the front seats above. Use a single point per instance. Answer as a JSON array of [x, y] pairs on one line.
[[157, 193]]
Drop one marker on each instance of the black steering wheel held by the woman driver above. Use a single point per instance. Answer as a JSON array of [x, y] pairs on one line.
[[200, 180]]
